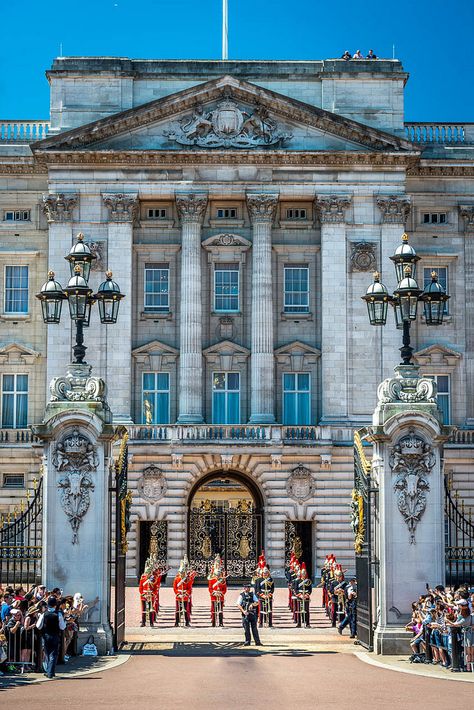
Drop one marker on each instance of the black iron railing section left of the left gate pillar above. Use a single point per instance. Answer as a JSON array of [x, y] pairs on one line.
[[21, 542]]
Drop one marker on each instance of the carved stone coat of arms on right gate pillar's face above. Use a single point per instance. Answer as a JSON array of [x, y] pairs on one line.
[[411, 461]]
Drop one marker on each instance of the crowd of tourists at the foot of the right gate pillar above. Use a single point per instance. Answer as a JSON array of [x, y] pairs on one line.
[[443, 628]]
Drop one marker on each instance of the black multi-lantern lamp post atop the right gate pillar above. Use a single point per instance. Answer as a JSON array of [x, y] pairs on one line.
[[405, 297]]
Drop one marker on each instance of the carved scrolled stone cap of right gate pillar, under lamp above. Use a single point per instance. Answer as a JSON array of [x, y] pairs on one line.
[[407, 387]]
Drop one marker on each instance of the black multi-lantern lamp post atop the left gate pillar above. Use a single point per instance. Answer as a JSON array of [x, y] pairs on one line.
[[80, 296]]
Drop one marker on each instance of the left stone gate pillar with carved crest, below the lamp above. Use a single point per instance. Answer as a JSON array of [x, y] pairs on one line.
[[77, 433]]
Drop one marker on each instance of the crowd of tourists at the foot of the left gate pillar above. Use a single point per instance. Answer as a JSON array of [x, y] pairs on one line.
[[22, 632]]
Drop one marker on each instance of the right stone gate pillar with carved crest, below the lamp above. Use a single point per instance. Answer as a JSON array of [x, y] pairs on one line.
[[408, 436]]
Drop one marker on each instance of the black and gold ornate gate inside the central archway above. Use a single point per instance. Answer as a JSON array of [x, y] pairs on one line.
[[235, 535]]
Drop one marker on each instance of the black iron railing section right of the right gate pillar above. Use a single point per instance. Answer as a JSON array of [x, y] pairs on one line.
[[459, 545]]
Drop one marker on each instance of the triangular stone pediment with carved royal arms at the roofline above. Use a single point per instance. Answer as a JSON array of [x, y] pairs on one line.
[[225, 113]]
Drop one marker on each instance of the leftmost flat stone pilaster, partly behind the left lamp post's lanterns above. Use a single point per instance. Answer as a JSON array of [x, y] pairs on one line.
[[58, 209]]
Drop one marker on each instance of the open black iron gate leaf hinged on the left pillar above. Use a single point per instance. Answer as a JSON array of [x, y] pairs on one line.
[[121, 500]]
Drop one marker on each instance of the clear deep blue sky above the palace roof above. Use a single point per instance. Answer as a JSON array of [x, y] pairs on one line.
[[434, 41]]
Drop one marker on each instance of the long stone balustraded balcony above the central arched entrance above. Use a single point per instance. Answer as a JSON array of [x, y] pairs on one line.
[[244, 434]]
